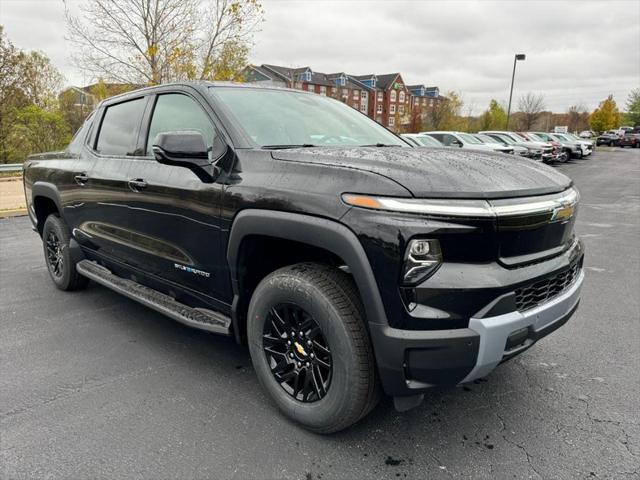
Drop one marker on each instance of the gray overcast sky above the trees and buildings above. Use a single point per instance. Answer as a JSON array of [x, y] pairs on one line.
[[577, 52]]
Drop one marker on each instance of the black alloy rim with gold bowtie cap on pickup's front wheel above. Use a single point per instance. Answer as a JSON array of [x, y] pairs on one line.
[[297, 353]]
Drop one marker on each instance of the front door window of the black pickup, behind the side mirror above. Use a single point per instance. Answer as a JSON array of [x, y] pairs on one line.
[[175, 112]]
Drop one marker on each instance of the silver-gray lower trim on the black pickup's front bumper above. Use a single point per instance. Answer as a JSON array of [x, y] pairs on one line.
[[494, 331]]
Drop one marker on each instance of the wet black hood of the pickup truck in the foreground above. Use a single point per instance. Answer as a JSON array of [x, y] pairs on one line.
[[441, 172]]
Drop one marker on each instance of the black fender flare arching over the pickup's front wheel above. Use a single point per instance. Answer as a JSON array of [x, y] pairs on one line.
[[318, 232]]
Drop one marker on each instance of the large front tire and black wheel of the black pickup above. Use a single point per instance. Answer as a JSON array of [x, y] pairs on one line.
[[328, 299]]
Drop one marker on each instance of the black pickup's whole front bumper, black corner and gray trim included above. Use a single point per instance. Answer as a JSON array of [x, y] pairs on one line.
[[409, 361]]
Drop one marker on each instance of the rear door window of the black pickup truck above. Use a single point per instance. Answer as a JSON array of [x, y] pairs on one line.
[[119, 131]]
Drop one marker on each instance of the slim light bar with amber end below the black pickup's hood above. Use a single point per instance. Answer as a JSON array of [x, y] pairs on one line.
[[465, 208]]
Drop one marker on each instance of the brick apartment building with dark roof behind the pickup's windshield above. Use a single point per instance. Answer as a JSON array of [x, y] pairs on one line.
[[385, 98]]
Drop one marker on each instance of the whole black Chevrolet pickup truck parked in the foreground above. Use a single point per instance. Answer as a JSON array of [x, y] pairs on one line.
[[350, 263]]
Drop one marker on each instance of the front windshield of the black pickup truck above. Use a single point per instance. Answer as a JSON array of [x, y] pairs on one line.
[[284, 119]]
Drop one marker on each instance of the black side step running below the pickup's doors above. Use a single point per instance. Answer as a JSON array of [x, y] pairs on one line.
[[194, 317]]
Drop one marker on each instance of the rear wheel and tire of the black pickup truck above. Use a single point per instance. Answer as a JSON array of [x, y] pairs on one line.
[[60, 264]]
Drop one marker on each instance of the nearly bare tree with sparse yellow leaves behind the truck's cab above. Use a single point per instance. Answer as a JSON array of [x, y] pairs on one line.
[[155, 41]]
